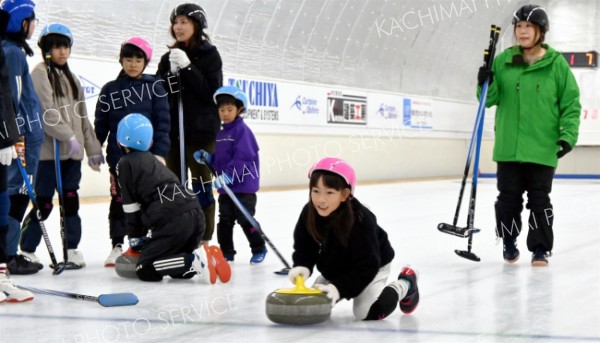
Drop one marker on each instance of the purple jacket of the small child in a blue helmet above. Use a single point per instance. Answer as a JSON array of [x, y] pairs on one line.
[[236, 155]]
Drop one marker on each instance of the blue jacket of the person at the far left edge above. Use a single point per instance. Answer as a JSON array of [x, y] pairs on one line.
[[30, 120]]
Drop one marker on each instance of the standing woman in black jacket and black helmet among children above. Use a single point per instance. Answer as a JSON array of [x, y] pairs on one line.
[[193, 71]]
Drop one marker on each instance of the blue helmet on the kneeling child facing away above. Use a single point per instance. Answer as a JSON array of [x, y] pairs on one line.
[[135, 132]]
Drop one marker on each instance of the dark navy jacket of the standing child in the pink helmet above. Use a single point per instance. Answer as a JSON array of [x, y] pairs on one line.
[[125, 95]]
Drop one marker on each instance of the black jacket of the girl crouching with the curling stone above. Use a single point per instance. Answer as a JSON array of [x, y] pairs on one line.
[[349, 269]]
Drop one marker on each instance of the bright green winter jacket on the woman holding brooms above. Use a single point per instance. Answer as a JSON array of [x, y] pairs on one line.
[[537, 105]]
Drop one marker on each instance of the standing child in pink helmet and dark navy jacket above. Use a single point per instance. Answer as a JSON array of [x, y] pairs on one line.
[[132, 91]]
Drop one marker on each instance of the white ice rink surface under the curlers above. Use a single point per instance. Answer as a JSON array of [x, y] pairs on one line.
[[461, 300]]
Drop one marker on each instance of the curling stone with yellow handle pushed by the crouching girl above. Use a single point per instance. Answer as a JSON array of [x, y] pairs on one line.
[[299, 305]]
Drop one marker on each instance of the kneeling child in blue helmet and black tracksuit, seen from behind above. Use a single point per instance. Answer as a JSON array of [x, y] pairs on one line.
[[154, 198]]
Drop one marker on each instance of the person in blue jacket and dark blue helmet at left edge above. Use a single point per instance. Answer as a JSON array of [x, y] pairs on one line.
[[29, 116]]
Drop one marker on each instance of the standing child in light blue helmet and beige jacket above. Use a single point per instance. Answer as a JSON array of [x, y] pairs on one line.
[[66, 124]]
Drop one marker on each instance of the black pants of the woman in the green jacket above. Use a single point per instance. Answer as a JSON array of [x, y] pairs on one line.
[[514, 179]]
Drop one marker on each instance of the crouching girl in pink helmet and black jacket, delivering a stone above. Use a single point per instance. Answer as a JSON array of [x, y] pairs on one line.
[[341, 237]]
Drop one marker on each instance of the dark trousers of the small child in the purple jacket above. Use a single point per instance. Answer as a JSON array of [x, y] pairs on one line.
[[229, 214]]
